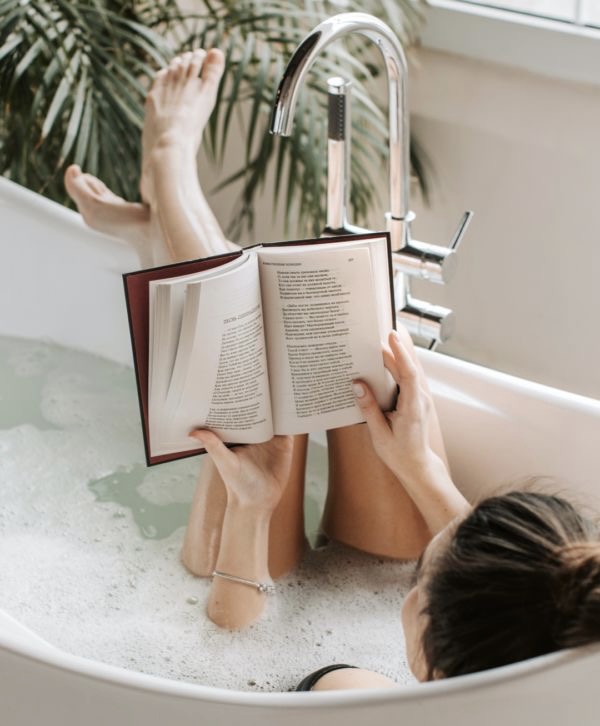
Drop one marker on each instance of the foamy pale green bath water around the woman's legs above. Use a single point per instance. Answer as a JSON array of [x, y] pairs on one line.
[[90, 540]]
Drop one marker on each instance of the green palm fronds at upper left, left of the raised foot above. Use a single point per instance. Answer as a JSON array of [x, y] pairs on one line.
[[72, 79]]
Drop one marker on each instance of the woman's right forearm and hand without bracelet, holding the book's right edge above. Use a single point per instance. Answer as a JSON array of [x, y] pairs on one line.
[[401, 438]]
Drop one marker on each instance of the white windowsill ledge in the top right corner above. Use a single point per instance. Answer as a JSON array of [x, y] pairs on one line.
[[548, 47]]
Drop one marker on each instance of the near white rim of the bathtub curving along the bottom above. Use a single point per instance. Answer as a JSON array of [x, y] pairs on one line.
[[29, 646]]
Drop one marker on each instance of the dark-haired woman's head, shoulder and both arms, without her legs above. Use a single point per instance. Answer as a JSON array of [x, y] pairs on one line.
[[514, 577]]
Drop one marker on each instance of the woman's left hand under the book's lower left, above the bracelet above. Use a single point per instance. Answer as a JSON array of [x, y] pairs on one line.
[[255, 475]]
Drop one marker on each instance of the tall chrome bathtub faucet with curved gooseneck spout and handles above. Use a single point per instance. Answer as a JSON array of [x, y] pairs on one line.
[[410, 257]]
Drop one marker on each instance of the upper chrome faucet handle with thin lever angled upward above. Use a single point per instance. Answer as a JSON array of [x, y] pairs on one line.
[[431, 262]]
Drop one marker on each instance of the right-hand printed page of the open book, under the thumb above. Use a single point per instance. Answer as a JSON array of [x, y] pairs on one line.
[[322, 330]]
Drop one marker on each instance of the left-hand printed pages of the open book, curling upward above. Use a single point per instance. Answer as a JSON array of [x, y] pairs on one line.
[[219, 378]]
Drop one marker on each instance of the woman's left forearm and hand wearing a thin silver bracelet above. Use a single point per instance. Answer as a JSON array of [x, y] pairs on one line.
[[255, 477]]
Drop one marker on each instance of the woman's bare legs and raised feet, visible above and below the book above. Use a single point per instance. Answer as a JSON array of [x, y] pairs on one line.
[[173, 223]]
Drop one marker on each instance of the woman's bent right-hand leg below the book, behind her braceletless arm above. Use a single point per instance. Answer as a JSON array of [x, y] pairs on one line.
[[366, 505]]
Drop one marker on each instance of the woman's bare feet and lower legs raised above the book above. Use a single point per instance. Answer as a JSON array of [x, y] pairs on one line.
[[175, 112]]
